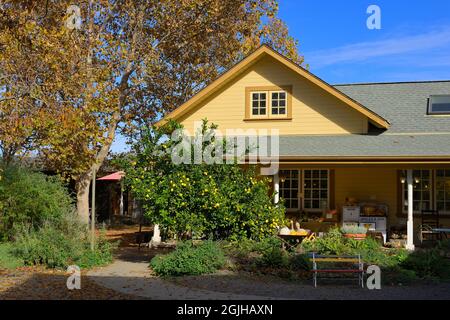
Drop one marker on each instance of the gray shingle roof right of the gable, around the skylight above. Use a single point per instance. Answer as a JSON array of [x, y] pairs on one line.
[[404, 105]]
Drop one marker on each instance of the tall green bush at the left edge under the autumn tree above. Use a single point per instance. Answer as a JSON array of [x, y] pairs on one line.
[[30, 198]]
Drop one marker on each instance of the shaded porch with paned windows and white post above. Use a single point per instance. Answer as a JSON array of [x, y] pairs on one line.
[[393, 193]]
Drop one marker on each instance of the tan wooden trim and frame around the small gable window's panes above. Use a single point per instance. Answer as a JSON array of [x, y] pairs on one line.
[[269, 89]]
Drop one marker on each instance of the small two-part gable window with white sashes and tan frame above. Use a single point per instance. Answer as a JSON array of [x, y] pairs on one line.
[[264, 103]]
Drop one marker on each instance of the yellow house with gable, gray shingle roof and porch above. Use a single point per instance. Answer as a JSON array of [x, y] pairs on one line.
[[384, 147]]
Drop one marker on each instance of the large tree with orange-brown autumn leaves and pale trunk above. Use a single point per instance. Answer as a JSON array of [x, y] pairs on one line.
[[127, 63]]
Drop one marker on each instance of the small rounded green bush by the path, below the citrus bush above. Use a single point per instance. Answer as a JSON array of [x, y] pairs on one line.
[[189, 259]]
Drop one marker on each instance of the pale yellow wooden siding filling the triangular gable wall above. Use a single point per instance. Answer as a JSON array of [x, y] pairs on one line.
[[313, 110]]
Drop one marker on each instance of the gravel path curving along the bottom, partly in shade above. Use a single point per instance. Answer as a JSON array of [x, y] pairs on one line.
[[134, 278]]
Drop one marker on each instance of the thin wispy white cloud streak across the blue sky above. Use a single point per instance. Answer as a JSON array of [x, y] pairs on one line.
[[429, 41]]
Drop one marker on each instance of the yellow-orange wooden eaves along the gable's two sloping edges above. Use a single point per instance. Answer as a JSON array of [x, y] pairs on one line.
[[244, 64]]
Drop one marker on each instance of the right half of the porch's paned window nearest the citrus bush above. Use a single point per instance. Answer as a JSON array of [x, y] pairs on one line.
[[315, 189]]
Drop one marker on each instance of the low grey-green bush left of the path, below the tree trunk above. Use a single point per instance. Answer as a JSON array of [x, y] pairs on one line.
[[60, 244]]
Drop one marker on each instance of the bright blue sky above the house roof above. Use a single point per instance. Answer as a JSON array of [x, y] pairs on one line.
[[413, 43]]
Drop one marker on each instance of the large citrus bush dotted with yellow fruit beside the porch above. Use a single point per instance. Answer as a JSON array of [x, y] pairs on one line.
[[221, 201]]
